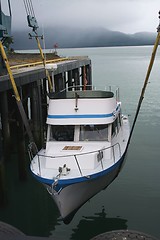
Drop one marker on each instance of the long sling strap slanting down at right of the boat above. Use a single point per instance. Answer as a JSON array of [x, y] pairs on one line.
[[146, 80]]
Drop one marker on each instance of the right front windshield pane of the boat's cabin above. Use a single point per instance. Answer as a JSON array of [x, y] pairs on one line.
[[94, 132]]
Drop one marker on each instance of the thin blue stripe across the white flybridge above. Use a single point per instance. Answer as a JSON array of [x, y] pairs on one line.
[[81, 116]]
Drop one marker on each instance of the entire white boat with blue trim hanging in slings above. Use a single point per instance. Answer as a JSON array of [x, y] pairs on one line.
[[85, 148]]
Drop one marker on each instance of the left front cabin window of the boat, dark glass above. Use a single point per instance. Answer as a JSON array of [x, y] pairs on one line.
[[61, 133]]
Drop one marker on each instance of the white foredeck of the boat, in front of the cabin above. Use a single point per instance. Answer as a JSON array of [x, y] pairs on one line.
[[74, 162]]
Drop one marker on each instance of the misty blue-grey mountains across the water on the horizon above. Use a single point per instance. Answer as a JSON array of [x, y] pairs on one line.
[[68, 37]]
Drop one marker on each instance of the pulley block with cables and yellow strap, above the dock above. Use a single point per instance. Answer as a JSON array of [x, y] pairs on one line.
[[32, 22]]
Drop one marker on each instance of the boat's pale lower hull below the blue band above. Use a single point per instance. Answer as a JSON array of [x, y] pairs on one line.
[[73, 196]]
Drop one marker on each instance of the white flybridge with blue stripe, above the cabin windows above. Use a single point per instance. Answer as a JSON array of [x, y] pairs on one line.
[[82, 107]]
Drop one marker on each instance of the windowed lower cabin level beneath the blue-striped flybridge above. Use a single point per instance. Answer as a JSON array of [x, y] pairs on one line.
[[84, 132]]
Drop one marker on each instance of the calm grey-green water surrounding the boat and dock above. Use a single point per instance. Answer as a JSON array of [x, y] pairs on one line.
[[132, 200]]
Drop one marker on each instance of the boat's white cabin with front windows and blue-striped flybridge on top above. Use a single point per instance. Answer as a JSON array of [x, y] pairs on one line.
[[83, 116]]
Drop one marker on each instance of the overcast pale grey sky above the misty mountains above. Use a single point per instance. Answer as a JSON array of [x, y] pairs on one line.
[[127, 16]]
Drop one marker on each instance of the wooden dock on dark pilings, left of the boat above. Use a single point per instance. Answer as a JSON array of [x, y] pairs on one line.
[[32, 84]]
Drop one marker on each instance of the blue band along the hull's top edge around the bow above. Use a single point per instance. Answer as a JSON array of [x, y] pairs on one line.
[[65, 183]]
